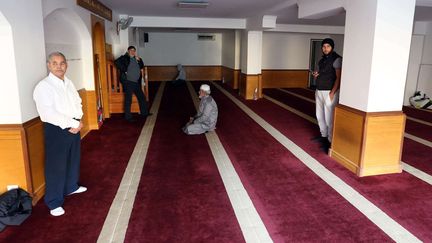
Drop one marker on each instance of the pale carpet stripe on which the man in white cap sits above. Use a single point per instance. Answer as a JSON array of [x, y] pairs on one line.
[[250, 222]]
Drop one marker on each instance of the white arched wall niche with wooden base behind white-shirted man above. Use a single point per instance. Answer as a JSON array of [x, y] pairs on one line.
[[66, 32]]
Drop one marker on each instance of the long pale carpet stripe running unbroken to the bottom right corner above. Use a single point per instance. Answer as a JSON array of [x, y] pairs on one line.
[[372, 212]]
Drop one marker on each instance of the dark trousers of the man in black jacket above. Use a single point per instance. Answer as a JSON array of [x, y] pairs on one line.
[[130, 88]]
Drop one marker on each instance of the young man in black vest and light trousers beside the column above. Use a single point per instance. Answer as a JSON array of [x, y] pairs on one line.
[[327, 90]]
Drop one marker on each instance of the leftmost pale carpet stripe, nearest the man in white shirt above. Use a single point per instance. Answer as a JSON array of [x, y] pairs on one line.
[[117, 220]]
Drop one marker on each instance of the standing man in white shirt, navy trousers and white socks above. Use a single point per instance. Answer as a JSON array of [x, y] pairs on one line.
[[59, 107]]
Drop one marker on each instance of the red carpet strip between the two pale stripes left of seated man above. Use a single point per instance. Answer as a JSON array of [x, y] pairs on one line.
[[181, 197]]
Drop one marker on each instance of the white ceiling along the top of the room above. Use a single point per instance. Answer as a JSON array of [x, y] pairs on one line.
[[286, 11]]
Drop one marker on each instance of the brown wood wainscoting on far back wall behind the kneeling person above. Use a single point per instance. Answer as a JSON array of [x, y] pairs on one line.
[[193, 73]]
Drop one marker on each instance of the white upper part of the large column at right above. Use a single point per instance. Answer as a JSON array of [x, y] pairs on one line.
[[376, 51]]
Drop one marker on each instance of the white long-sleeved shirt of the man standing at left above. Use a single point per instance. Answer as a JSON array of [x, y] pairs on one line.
[[58, 102]]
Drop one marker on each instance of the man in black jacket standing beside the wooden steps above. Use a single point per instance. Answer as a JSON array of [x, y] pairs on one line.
[[130, 66]]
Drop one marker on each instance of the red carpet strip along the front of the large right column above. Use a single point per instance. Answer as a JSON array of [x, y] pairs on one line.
[[402, 196]]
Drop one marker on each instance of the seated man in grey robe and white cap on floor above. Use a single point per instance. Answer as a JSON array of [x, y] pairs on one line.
[[206, 118]]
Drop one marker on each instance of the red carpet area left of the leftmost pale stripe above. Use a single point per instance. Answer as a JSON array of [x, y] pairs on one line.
[[105, 154]]
